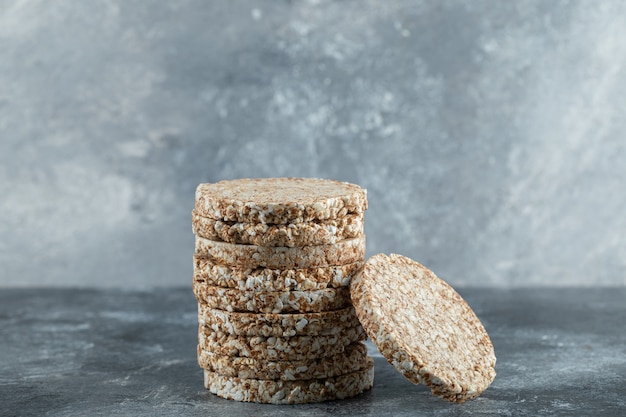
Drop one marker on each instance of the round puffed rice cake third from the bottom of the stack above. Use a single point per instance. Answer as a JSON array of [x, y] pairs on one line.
[[279, 348]]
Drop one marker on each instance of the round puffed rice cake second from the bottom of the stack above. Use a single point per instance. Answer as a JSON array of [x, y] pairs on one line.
[[352, 359]]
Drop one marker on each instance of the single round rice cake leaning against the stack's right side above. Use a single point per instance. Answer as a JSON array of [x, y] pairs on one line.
[[423, 327]]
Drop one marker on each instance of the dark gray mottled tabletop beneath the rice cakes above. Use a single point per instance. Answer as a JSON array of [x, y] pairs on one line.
[[105, 352]]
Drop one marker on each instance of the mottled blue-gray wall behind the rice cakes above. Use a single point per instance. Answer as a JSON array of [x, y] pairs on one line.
[[489, 134]]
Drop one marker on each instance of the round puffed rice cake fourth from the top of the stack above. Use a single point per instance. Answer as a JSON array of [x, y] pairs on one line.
[[267, 279]]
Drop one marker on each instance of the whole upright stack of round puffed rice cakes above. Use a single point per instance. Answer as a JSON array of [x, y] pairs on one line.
[[273, 263]]
